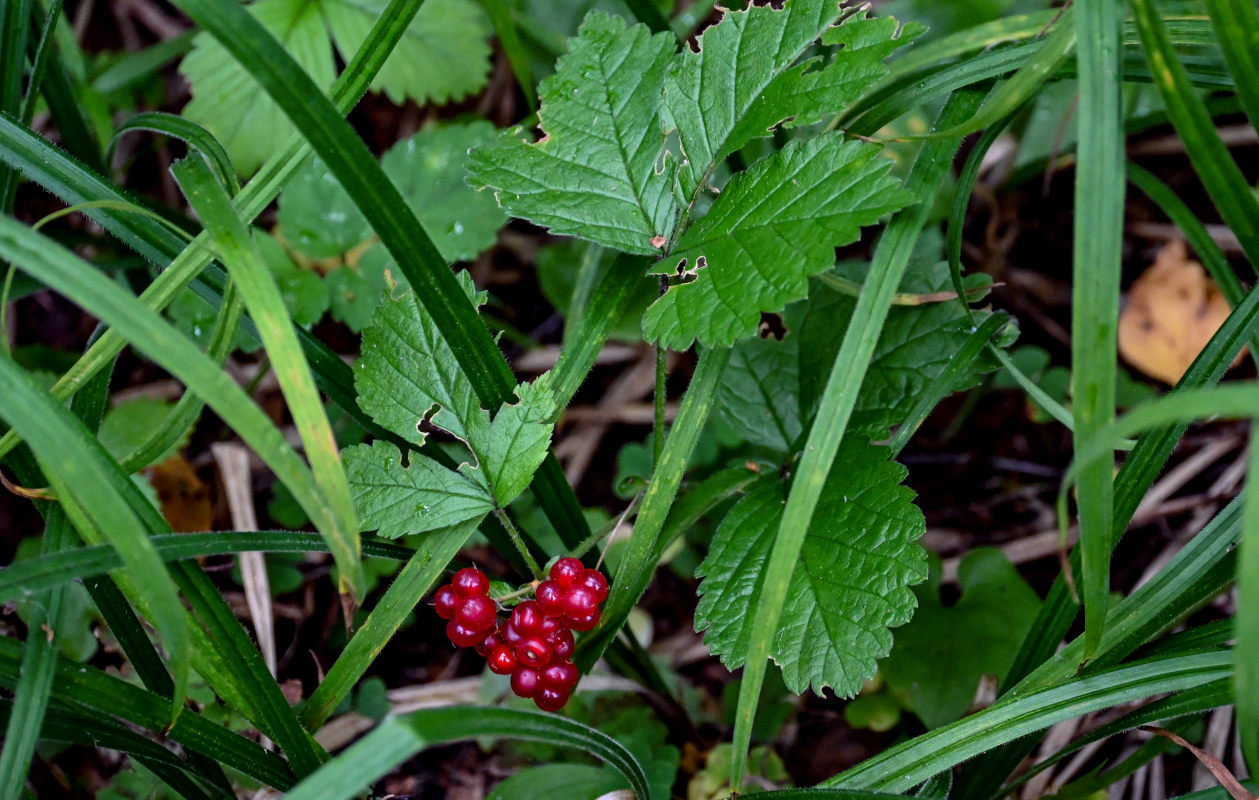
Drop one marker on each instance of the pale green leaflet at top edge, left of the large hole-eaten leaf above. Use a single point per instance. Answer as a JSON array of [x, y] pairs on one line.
[[444, 56]]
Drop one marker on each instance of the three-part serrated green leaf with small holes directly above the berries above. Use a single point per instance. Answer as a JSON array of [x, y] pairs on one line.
[[409, 377]]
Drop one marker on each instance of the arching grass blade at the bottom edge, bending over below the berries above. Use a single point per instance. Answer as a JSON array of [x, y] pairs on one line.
[[398, 739]]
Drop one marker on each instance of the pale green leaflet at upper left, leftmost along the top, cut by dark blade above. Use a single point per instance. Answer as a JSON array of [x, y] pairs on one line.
[[230, 103]]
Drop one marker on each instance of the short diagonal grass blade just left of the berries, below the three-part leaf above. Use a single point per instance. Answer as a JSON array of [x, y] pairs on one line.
[[400, 600]]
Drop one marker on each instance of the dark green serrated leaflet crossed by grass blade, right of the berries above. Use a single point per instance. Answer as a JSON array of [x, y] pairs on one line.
[[850, 588]]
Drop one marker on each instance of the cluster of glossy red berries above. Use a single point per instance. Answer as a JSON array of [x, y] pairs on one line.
[[536, 644]]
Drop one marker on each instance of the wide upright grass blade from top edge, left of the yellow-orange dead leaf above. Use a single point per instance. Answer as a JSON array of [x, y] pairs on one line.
[[1097, 258]]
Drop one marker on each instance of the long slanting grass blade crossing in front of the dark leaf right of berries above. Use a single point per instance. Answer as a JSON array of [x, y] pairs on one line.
[[837, 406]]
